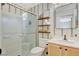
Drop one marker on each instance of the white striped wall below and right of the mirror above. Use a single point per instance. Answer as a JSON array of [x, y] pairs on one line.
[[67, 31]]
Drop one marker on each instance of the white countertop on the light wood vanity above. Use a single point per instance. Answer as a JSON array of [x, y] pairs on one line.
[[70, 43]]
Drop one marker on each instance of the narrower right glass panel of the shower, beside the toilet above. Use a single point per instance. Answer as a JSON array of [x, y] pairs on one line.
[[29, 33]]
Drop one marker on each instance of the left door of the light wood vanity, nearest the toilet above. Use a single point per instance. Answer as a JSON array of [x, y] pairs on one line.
[[54, 50]]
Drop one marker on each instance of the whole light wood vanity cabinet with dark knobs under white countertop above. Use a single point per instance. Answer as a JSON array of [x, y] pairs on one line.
[[61, 50]]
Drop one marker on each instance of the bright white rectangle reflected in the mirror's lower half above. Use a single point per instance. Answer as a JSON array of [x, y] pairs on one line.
[[65, 21]]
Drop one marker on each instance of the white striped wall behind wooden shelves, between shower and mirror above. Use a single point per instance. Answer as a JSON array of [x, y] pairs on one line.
[[38, 11]]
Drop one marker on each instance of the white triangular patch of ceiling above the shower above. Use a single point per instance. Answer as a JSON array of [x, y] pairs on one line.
[[25, 5]]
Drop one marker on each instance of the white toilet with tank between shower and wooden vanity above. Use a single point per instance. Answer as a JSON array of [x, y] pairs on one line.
[[38, 51]]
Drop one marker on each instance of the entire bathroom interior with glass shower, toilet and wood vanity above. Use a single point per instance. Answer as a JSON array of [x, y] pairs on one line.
[[35, 29]]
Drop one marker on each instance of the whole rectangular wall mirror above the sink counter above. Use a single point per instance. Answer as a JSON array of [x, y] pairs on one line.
[[66, 16]]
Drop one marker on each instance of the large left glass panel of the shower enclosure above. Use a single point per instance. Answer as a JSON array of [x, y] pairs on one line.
[[11, 32]]
